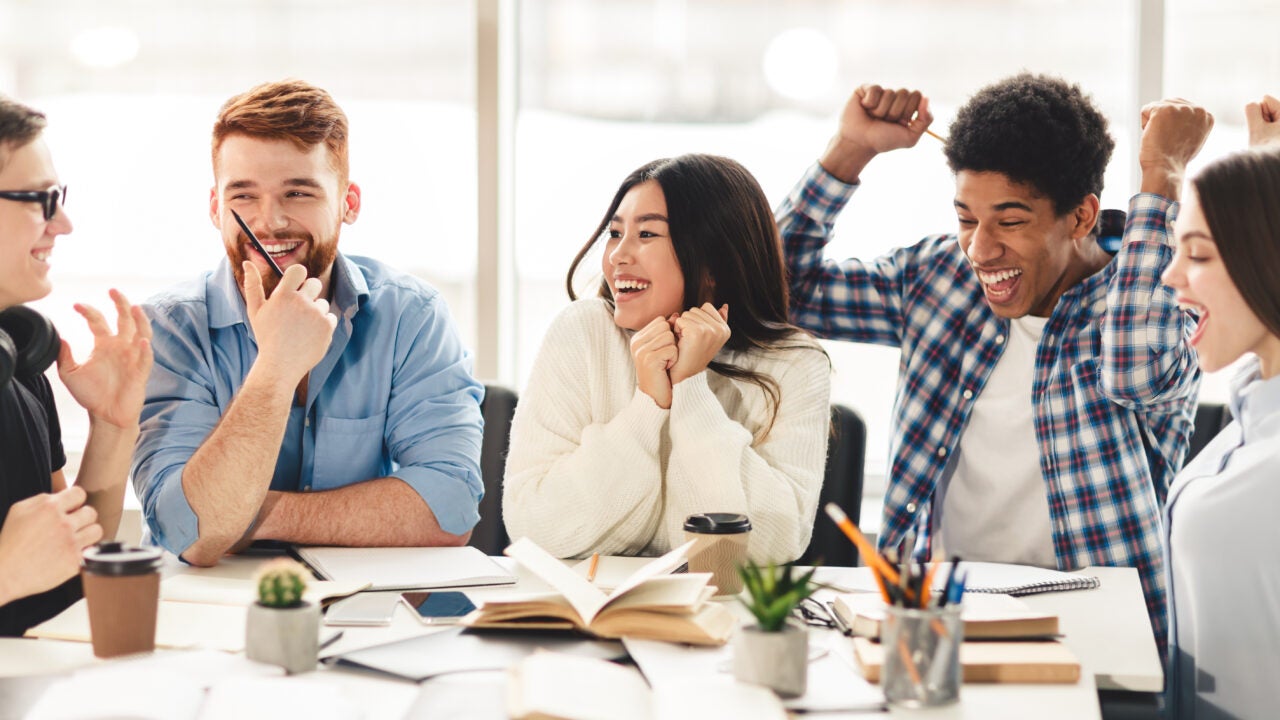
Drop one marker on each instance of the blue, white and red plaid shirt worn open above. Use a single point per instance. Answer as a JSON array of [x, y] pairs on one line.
[[1114, 389]]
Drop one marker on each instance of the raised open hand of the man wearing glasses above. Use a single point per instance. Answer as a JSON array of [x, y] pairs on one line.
[[112, 384]]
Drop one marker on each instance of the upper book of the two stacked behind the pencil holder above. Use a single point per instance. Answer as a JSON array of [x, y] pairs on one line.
[[986, 617]]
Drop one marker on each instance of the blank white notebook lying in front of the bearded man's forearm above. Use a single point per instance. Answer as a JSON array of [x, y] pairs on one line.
[[406, 568]]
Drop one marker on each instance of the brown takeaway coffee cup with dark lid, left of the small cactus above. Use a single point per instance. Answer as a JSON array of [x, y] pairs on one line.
[[122, 586]]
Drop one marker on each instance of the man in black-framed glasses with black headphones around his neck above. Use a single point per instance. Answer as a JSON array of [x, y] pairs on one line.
[[44, 523]]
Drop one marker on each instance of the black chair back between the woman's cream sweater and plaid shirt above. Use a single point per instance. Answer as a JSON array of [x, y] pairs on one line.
[[843, 485]]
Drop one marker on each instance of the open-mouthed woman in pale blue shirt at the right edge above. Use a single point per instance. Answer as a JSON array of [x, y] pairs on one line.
[[1222, 534]]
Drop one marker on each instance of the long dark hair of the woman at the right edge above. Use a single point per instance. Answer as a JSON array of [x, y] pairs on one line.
[[1241, 199]]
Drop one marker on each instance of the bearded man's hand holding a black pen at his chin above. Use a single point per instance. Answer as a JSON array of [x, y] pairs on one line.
[[294, 327]]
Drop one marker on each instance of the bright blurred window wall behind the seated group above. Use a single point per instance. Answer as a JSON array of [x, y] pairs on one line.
[[490, 136]]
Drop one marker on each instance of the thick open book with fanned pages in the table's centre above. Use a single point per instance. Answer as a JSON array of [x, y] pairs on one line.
[[651, 604]]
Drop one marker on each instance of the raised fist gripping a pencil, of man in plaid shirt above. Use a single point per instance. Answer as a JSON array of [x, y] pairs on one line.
[[875, 121]]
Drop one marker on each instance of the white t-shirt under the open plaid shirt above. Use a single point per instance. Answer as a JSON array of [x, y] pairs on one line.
[[995, 507]]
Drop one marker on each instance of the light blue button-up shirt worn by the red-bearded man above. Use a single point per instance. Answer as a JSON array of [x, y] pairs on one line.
[[394, 397]]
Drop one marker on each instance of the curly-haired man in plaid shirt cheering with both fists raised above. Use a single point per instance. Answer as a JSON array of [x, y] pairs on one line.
[[1048, 388]]
